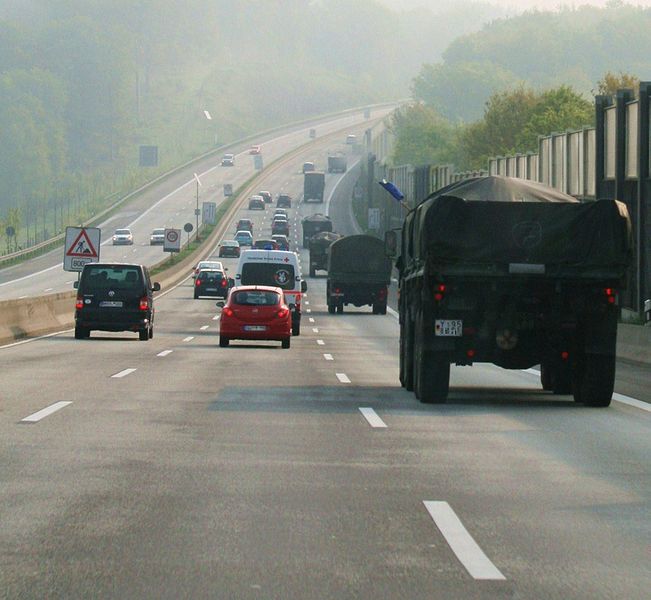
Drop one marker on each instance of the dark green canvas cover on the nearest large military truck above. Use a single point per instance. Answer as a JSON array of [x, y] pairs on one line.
[[506, 220]]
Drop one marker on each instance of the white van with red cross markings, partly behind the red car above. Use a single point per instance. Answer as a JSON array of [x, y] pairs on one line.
[[277, 268]]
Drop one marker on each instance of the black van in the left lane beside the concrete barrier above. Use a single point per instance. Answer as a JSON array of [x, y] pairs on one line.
[[115, 297]]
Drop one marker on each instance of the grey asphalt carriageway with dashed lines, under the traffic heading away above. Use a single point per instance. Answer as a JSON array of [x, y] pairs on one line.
[[178, 469]]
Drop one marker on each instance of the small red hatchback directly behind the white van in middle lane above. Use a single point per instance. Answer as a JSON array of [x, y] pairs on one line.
[[255, 312]]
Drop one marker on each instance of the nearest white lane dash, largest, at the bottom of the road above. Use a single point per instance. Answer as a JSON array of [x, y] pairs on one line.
[[461, 542]]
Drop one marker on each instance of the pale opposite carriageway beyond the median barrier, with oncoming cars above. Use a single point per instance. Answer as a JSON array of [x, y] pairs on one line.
[[172, 204]]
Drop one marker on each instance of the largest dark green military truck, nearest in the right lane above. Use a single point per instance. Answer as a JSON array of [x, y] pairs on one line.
[[512, 273]]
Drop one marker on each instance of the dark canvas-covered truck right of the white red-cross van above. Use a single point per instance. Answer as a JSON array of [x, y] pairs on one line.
[[359, 273]]
